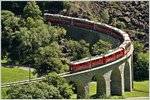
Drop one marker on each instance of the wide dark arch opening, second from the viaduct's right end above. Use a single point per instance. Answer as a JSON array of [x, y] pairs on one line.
[[116, 86]]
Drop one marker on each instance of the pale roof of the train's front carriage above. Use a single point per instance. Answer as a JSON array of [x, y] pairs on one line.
[[80, 61]]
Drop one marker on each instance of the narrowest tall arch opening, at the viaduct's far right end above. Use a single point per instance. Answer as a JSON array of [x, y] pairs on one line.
[[127, 77]]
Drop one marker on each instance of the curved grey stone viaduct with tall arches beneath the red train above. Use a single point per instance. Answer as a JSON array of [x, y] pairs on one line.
[[113, 78]]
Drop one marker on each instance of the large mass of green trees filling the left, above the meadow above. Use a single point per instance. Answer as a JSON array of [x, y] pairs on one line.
[[28, 39]]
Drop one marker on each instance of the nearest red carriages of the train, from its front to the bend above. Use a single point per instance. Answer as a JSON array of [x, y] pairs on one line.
[[100, 60]]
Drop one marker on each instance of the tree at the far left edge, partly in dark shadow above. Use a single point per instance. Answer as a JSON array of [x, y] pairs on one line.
[[10, 23]]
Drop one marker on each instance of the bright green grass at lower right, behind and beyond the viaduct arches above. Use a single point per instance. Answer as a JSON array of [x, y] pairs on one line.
[[141, 89]]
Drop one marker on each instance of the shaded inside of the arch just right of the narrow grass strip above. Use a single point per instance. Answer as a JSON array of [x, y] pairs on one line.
[[101, 84]]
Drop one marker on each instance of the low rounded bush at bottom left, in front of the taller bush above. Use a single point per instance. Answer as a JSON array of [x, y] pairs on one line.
[[38, 90]]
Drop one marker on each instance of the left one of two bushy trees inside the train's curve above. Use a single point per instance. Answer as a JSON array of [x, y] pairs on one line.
[[78, 50]]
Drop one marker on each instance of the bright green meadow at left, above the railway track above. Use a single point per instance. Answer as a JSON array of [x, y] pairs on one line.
[[14, 74]]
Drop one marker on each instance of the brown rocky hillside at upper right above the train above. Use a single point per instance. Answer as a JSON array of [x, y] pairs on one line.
[[135, 15]]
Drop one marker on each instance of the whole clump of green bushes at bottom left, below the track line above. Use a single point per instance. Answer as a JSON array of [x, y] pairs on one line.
[[52, 87]]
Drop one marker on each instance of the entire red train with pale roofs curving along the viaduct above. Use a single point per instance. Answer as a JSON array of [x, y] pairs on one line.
[[98, 60]]
